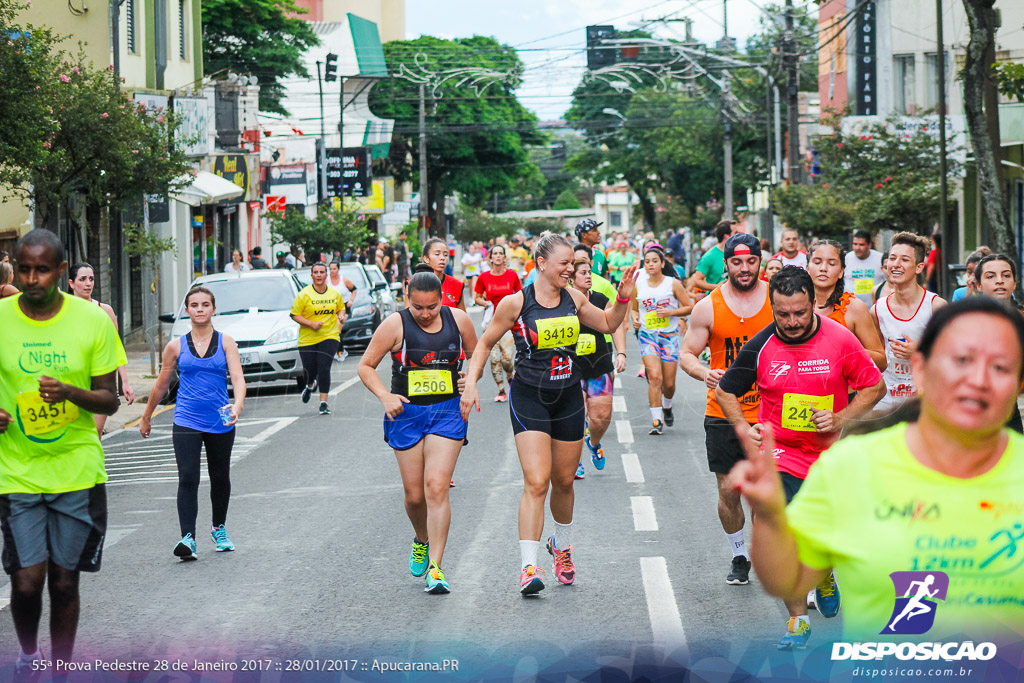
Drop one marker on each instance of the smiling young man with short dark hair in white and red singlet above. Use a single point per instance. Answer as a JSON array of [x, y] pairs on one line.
[[902, 317]]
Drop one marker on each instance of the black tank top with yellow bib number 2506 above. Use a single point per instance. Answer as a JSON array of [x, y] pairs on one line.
[[426, 369]]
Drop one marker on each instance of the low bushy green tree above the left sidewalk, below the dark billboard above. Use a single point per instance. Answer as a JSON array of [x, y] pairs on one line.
[[332, 230]]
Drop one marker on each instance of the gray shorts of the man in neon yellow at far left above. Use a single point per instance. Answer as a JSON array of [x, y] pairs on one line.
[[68, 529]]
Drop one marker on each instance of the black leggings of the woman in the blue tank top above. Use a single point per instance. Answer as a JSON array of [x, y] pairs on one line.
[[188, 448]]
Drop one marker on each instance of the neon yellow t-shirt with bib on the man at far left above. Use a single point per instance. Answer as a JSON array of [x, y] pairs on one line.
[[53, 449]]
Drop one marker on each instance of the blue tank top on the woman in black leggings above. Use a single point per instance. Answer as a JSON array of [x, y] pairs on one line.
[[202, 389]]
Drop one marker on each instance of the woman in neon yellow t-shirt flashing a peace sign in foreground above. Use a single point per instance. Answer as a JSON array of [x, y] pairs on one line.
[[849, 513]]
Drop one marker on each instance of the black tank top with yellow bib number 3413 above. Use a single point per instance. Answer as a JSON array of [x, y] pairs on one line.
[[545, 343]]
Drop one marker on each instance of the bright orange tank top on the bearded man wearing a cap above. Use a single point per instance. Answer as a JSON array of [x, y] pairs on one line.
[[729, 334]]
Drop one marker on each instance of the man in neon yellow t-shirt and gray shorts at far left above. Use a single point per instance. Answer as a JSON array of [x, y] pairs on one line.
[[58, 361]]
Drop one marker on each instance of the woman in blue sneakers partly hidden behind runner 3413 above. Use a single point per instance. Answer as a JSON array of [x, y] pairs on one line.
[[598, 369]]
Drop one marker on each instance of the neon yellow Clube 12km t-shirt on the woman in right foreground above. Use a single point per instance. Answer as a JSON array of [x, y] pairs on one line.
[[869, 508]]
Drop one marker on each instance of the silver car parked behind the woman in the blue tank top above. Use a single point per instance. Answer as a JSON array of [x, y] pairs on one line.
[[254, 310]]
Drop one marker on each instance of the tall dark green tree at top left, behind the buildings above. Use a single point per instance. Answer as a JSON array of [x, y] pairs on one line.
[[265, 38]]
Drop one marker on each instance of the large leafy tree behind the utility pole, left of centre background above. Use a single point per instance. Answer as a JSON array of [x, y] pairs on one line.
[[477, 143]]
